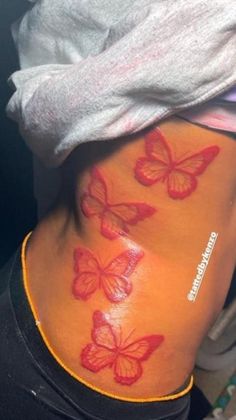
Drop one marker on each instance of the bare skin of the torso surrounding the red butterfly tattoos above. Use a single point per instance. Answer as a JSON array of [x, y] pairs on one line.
[[171, 240]]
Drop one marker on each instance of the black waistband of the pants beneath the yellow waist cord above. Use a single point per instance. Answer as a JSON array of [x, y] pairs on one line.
[[81, 399]]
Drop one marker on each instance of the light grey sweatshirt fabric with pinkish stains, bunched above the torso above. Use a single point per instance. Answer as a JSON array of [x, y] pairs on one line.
[[101, 69]]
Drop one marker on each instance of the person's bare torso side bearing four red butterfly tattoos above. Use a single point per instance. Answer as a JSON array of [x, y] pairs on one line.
[[163, 292]]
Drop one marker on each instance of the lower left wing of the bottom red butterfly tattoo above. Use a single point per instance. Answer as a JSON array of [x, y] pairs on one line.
[[95, 358]]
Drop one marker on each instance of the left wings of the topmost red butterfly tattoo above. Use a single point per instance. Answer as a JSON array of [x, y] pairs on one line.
[[155, 166]]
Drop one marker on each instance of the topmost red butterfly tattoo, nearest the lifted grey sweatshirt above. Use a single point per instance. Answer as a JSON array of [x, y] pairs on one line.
[[159, 165]]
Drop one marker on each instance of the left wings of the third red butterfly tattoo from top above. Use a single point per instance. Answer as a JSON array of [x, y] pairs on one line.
[[86, 267]]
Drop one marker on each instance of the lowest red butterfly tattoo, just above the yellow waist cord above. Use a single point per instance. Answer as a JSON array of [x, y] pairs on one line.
[[109, 350]]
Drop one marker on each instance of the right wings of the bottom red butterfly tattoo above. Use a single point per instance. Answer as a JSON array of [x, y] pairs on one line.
[[127, 366]]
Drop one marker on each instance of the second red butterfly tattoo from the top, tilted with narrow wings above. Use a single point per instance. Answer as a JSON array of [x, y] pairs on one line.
[[115, 218]]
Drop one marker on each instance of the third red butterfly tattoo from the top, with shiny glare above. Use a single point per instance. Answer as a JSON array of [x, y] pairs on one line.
[[113, 278]]
